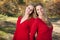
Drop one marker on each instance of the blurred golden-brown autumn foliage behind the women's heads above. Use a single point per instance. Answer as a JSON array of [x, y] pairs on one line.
[[16, 7]]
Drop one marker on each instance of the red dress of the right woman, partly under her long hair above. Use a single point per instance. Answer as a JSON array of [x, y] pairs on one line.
[[43, 31]]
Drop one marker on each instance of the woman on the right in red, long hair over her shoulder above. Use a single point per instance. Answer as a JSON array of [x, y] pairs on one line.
[[42, 25]]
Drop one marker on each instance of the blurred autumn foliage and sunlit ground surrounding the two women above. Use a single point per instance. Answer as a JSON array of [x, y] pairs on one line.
[[11, 9]]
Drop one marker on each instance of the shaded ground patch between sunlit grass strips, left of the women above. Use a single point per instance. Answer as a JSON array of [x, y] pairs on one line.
[[7, 27]]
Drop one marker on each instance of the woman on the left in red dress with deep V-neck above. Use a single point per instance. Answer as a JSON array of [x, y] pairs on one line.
[[24, 24]]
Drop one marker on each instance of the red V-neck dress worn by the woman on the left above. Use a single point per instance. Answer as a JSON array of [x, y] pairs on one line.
[[23, 29]]
